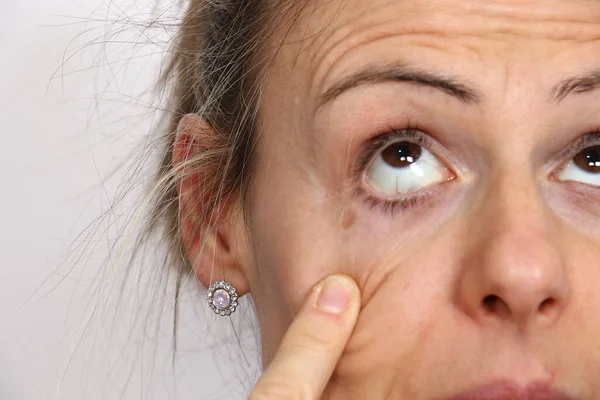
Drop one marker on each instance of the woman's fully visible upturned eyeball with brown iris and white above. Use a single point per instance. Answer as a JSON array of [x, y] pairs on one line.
[[418, 170]]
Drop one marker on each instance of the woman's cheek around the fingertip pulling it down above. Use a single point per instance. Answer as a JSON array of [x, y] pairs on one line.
[[299, 239]]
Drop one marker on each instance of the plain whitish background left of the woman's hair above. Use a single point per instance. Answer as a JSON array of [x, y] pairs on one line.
[[74, 105]]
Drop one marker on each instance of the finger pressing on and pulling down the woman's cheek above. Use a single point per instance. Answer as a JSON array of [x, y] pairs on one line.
[[313, 344]]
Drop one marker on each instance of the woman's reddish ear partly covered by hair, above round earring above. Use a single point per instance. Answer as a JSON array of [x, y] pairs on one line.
[[214, 242]]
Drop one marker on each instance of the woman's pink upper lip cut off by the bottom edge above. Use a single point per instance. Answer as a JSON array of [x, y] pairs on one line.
[[508, 390]]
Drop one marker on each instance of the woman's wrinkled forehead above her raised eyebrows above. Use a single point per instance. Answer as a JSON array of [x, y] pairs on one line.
[[333, 38]]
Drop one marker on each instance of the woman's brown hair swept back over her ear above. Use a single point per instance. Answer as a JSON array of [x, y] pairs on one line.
[[217, 64]]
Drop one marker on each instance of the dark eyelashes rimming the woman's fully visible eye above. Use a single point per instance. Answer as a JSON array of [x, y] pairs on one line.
[[377, 144]]
